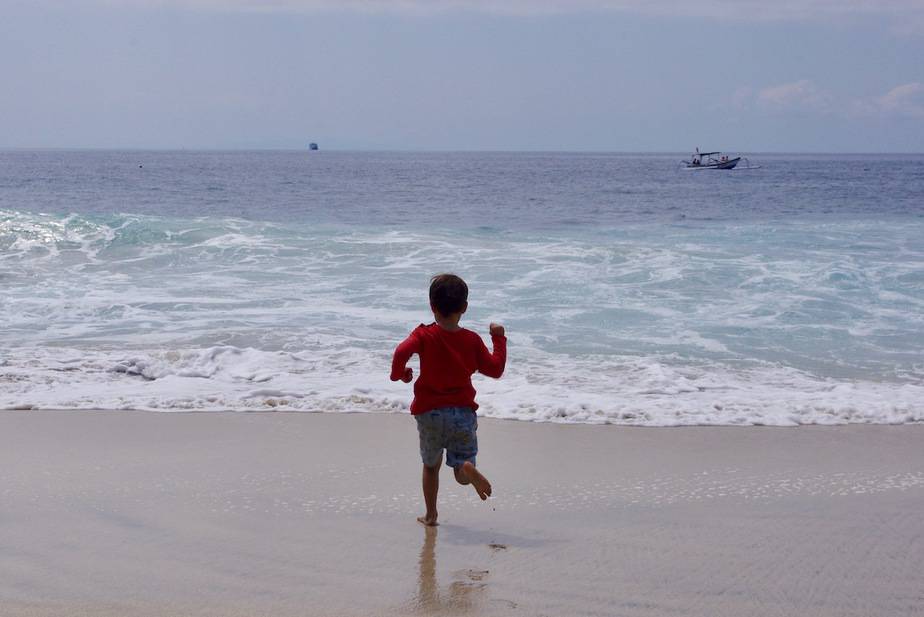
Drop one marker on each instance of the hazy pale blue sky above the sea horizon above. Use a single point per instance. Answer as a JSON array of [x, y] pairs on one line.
[[658, 75]]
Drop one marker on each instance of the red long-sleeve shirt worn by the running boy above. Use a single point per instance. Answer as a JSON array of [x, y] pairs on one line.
[[448, 359]]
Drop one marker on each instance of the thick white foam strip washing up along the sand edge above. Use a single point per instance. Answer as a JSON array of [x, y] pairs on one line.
[[537, 387]]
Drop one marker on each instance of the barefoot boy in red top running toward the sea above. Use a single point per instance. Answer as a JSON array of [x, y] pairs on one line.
[[444, 399]]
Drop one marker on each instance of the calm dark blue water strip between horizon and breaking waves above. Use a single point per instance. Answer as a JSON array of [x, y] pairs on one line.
[[504, 191]]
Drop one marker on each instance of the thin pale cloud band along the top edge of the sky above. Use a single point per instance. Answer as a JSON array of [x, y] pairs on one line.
[[906, 11]]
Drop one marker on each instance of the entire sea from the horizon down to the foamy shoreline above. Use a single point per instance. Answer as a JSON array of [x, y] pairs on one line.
[[633, 291]]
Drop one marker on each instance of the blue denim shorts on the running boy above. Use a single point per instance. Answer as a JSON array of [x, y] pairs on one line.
[[452, 428]]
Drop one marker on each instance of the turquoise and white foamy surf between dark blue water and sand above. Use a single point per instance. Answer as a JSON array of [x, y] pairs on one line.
[[659, 327]]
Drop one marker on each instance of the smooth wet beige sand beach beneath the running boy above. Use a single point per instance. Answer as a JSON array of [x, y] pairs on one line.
[[125, 513]]
